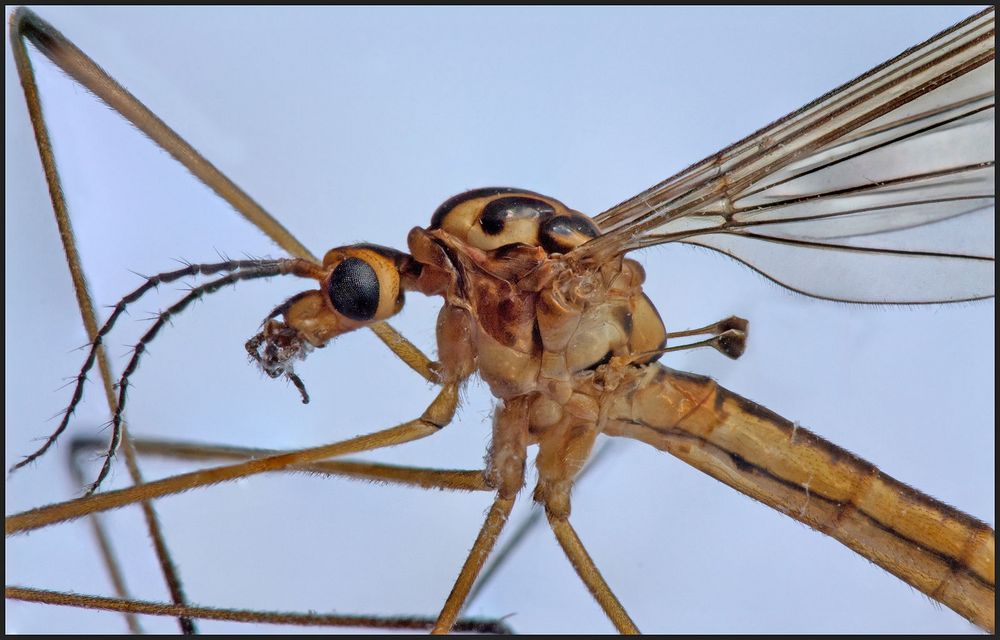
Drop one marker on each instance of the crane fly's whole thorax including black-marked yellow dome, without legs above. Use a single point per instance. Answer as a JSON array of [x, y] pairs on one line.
[[516, 309]]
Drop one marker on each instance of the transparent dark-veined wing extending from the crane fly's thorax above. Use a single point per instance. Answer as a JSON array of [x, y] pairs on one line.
[[881, 191]]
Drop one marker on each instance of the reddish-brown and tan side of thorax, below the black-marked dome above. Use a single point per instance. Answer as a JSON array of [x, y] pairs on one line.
[[546, 341]]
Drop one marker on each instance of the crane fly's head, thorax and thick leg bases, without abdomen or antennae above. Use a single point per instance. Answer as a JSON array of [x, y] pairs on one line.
[[551, 339]]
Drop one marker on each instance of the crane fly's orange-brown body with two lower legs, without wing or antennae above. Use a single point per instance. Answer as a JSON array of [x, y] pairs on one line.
[[569, 348]]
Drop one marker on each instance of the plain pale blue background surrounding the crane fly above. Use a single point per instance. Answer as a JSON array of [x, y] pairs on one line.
[[353, 125]]
